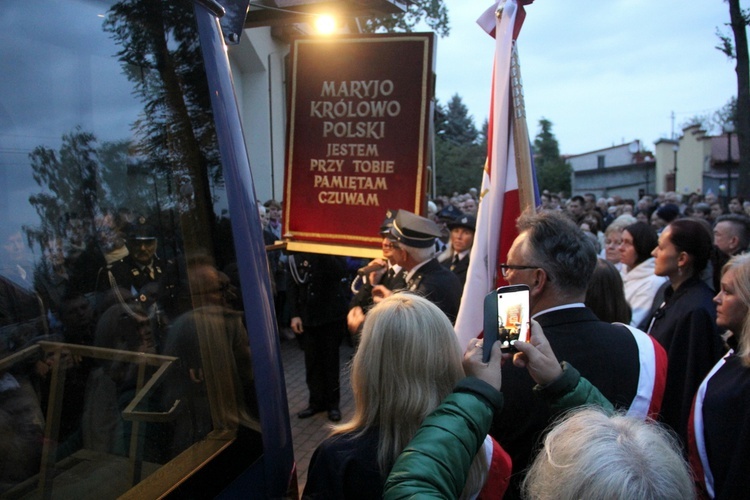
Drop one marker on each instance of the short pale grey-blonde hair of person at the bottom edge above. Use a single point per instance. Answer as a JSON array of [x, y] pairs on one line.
[[593, 455]]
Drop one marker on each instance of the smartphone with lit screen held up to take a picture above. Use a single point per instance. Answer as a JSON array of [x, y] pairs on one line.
[[506, 318]]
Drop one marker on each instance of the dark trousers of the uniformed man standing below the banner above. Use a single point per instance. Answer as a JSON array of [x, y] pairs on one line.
[[321, 344]]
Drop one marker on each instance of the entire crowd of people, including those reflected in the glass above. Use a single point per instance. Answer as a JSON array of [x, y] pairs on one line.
[[644, 303]]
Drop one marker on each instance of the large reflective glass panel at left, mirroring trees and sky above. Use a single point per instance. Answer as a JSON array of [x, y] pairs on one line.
[[123, 347]]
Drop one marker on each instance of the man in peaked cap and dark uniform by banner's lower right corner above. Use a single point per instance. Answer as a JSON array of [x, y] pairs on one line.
[[414, 247]]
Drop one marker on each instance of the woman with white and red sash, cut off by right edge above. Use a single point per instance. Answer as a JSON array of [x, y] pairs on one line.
[[720, 423]]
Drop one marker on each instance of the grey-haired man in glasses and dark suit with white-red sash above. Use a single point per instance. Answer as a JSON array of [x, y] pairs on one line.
[[554, 258]]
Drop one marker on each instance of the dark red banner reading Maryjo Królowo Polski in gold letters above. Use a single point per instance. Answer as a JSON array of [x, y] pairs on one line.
[[359, 117]]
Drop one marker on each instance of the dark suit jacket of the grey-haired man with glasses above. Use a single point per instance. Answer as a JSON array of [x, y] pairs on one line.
[[604, 353]]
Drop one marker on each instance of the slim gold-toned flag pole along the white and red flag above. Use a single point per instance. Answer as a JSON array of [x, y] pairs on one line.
[[526, 196]]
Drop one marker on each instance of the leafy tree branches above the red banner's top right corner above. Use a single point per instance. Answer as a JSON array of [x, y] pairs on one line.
[[433, 12]]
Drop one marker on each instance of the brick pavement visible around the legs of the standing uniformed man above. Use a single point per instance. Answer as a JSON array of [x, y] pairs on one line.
[[308, 433]]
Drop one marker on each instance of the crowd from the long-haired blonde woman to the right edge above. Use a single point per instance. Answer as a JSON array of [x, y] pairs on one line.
[[646, 304]]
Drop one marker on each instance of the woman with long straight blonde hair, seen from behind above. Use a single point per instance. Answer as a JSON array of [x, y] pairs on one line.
[[408, 360]]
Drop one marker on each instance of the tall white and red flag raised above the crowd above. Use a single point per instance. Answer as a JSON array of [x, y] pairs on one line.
[[500, 202]]
